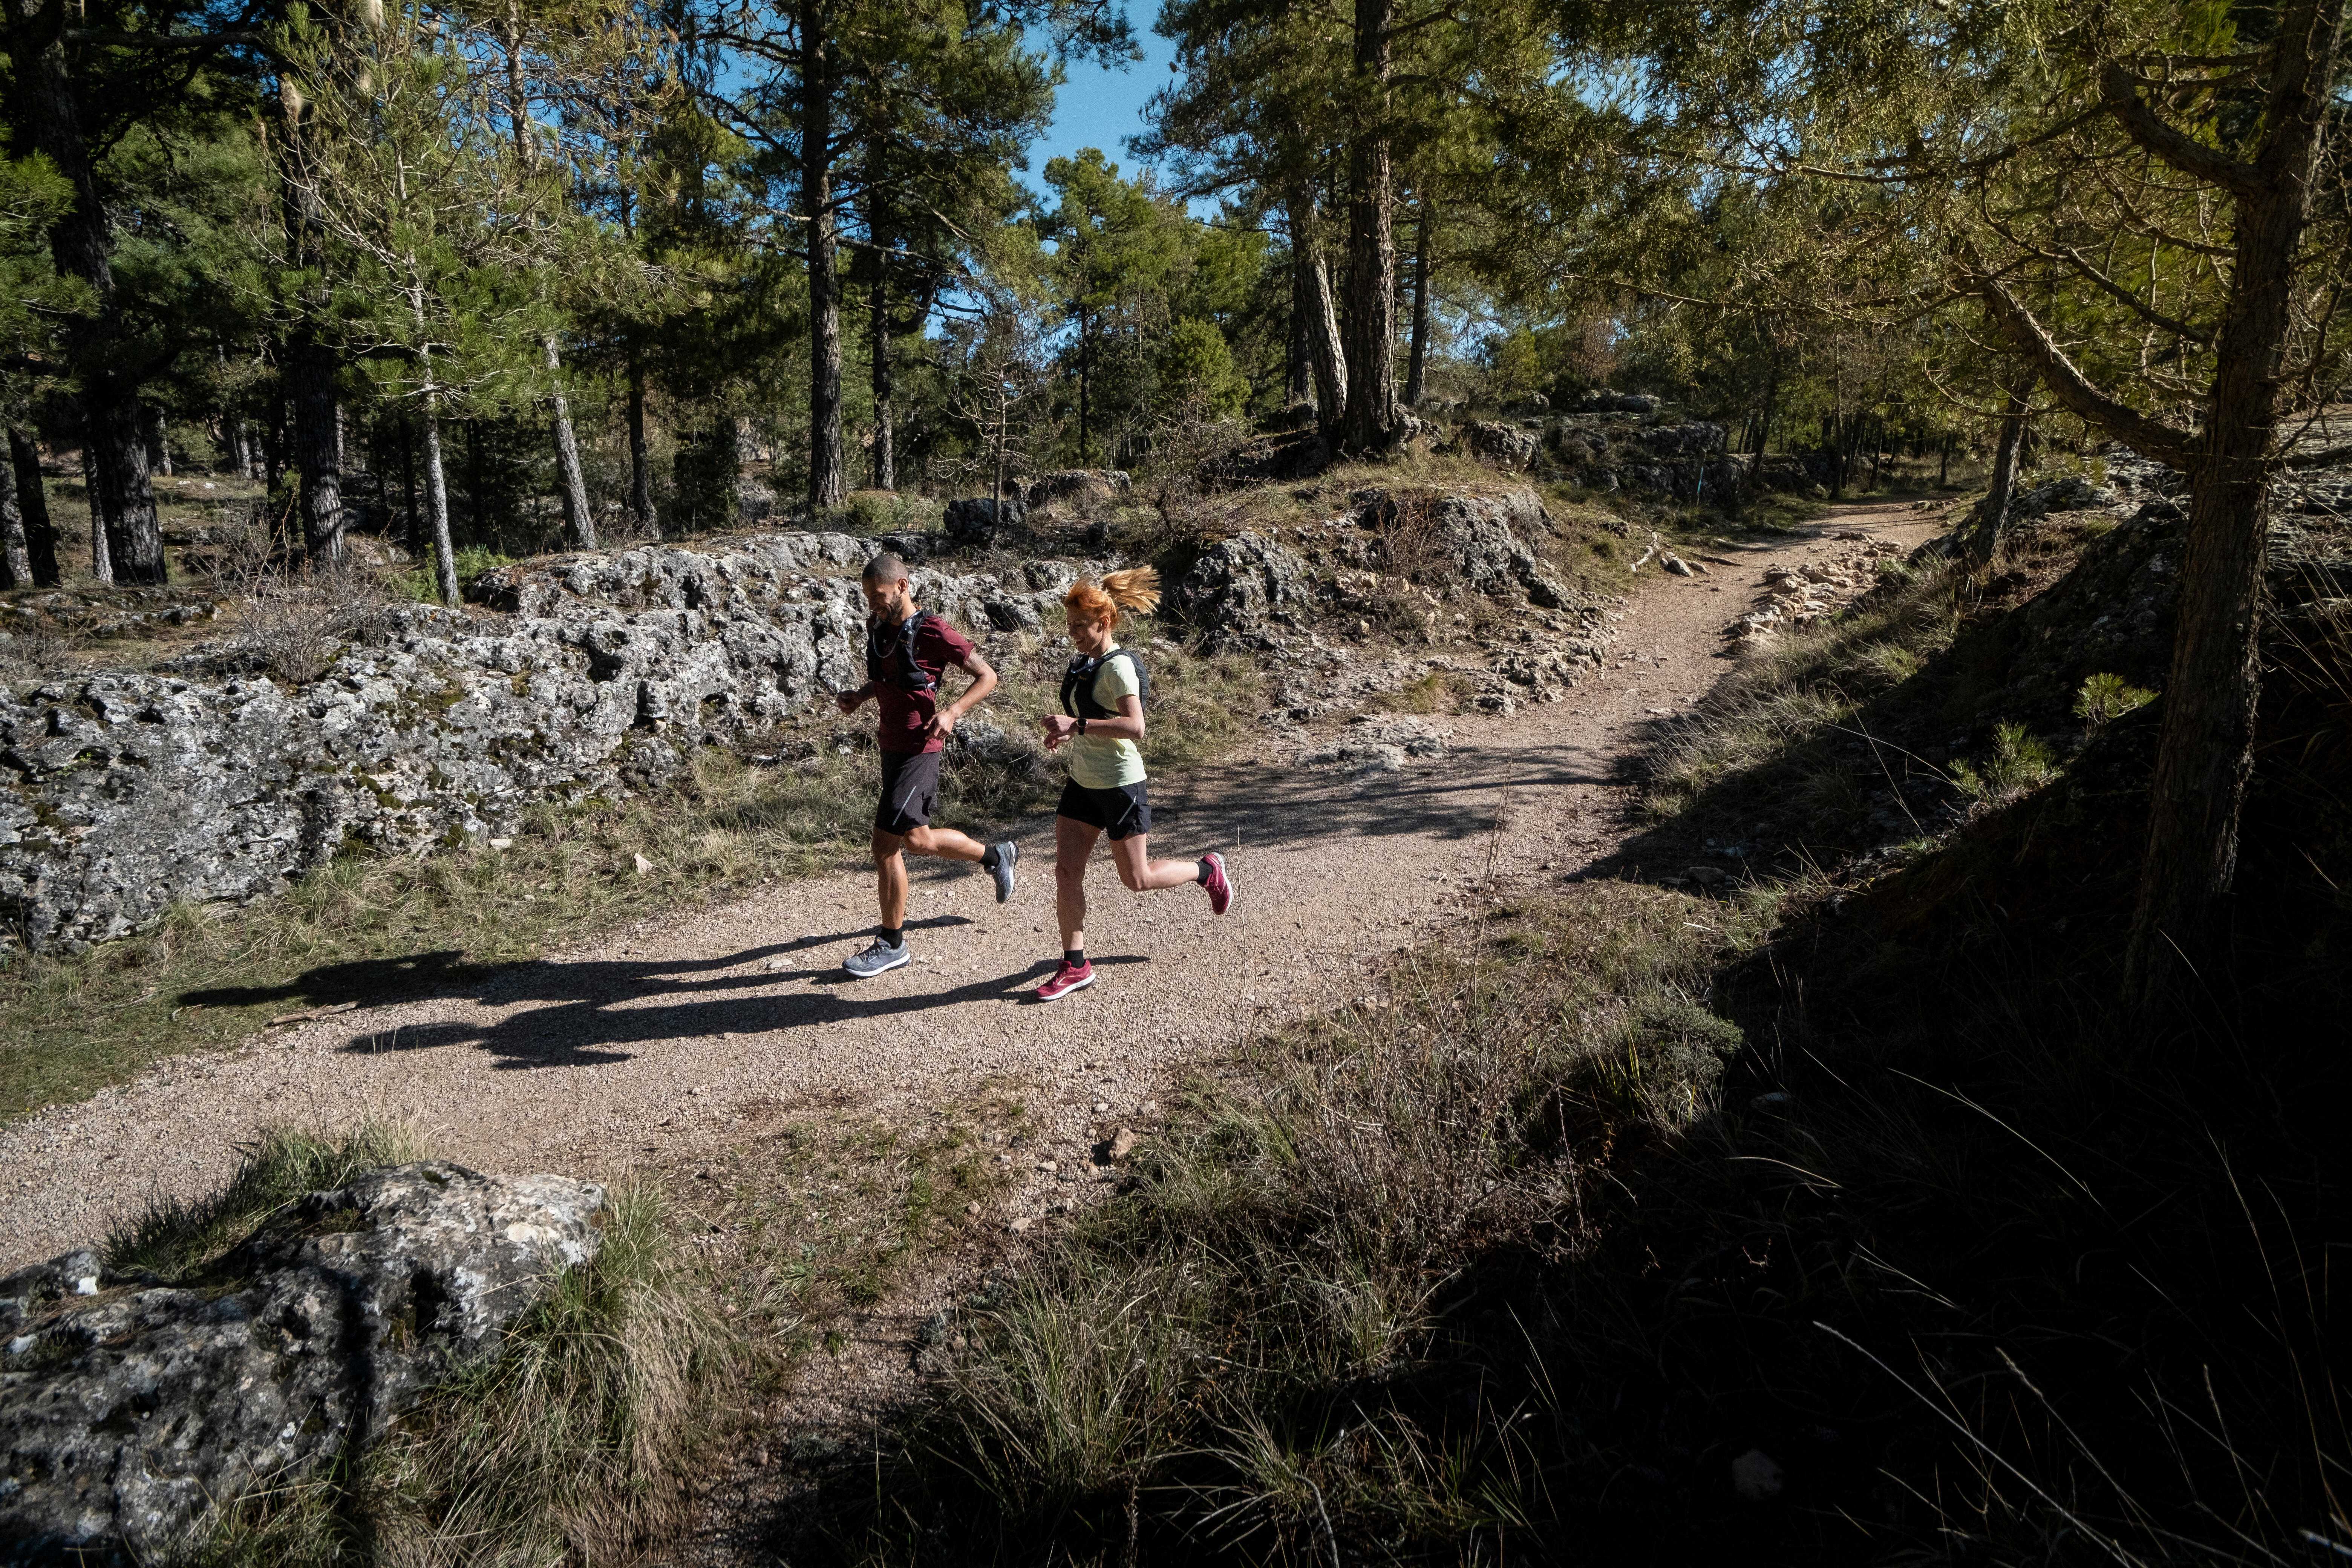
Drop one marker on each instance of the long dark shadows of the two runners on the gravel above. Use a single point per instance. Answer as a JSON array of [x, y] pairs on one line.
[[582, 1024]]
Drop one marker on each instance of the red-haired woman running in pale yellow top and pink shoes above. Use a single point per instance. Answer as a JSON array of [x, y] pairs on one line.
[[1102, 723]]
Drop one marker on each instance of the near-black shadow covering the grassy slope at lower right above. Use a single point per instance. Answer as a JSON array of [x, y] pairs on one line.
[[1982, 1273]]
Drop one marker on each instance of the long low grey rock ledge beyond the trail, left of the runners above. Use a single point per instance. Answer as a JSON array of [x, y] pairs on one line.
[[128, 793]]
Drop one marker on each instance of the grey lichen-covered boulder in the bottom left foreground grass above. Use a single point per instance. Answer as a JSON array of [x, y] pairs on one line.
[[133, 1407]]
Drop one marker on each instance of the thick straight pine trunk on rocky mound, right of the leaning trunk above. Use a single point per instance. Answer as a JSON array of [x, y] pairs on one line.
[[1372, 246]]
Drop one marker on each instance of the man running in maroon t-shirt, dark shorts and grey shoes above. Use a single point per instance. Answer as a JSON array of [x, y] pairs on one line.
[[907, 652]]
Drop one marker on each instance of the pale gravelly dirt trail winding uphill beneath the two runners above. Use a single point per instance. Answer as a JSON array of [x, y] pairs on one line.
[[667, 1038]]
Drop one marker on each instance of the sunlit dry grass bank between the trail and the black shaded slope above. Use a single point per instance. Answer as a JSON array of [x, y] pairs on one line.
[[1236, 1353]]
